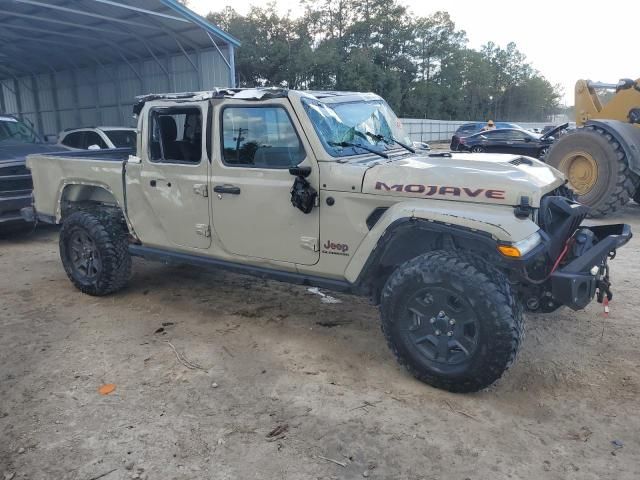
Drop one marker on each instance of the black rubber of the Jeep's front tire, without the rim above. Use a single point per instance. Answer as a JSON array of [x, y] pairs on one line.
[[500, 319]]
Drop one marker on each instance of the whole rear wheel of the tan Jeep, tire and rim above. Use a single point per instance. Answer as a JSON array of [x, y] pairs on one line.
[[94, 251]]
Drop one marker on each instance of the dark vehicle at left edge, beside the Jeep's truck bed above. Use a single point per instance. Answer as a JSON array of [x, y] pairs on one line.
[[17, 140]]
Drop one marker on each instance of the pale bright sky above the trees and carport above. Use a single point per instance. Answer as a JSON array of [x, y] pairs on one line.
[[564, 40]]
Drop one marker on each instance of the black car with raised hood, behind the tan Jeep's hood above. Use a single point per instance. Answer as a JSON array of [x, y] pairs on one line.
[[510, 140]]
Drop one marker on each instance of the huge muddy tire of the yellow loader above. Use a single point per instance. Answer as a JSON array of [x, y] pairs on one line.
[[614, 183]]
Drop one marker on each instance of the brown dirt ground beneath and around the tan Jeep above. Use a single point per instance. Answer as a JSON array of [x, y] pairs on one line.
[[269, 355]]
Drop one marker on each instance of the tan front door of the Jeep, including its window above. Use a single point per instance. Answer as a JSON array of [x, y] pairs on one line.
[[251, 185]]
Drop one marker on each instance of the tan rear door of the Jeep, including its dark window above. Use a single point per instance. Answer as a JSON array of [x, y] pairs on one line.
[[172, 204]]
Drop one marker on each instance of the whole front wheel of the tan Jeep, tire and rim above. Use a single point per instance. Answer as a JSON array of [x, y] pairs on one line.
[[452, 320]]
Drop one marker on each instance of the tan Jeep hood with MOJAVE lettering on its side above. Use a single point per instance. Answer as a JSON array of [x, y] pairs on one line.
[[465, 177]]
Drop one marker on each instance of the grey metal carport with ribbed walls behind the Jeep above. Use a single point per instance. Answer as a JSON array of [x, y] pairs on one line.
[[72, 63]]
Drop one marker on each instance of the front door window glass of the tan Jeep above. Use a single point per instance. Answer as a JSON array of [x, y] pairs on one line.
[[261, 137]]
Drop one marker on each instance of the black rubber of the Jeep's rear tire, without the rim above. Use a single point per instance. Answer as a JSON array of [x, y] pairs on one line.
[[108, 231]]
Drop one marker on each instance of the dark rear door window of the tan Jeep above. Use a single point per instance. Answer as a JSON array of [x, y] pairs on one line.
[[175, 135]]
